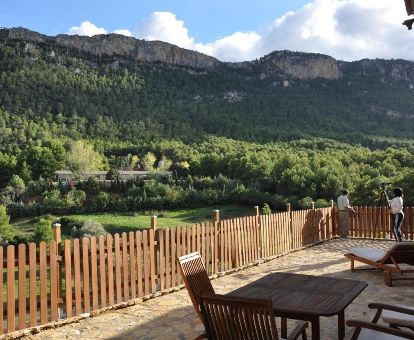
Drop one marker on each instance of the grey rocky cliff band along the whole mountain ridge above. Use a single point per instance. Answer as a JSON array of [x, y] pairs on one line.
[[284, 65]]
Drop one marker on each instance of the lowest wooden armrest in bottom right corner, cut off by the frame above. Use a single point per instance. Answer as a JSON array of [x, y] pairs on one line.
[[369, 331]]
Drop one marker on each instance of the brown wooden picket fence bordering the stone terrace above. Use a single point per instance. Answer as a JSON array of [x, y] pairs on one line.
[[50, 282]]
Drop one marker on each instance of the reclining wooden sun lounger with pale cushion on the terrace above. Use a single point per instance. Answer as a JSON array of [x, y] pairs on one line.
[[386, 260]]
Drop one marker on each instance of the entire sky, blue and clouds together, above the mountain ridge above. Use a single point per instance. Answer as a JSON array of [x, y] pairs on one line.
[[231, 30]]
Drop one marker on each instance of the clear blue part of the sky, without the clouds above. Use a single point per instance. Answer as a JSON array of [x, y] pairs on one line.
[[206, 20]]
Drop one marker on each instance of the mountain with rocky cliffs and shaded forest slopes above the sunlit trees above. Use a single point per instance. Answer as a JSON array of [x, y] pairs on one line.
[[116, 88]]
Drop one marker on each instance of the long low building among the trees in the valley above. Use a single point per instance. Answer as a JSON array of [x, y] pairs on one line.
[[67, 175]]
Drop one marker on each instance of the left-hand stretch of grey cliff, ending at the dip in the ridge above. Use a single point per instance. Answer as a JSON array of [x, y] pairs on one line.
[[115, 45]]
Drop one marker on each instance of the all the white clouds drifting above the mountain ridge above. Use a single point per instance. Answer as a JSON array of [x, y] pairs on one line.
[[344, 29]]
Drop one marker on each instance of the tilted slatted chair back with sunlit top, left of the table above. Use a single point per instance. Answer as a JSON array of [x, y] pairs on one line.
[[195, 278]]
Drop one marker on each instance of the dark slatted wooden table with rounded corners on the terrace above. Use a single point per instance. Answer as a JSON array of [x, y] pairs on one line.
[[305, 297]]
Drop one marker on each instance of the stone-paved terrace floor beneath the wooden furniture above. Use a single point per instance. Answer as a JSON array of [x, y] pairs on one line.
[[172, 316]]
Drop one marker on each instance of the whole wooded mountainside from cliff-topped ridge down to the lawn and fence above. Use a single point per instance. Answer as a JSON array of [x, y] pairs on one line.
[[289, 127]]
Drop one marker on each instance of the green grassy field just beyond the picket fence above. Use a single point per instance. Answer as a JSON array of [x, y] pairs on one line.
[[124, 222]]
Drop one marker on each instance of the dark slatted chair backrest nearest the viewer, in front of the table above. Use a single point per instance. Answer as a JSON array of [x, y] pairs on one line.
[[234, 318]]
